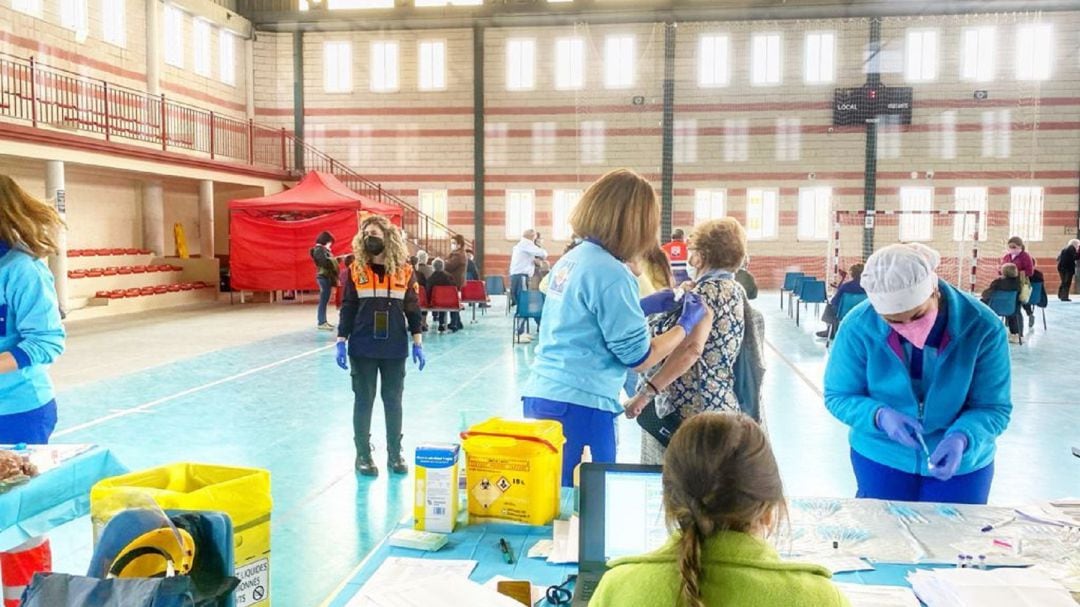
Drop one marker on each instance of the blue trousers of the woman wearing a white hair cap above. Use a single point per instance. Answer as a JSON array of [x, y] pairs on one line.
[[882, 482]]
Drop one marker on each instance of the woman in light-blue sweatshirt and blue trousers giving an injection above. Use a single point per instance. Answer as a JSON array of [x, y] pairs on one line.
[[595, 327]]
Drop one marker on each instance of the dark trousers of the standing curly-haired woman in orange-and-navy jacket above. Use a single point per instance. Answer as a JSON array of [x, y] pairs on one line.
[[366, 374]]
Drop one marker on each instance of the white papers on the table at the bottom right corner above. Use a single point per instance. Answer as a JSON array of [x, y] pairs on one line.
[[995, 588]]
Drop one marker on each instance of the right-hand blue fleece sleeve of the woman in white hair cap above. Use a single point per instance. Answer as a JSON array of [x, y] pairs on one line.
[[987, 413]]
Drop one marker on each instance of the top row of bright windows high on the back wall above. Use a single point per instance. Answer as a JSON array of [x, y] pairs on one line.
[[714, 56]]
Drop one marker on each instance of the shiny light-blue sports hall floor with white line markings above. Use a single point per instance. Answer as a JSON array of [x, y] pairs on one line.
[[282, 404]]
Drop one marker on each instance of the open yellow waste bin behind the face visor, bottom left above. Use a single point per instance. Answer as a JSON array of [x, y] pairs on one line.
[[241, 493]]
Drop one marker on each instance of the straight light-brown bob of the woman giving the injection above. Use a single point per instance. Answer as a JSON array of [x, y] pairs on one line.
[[619, 210]]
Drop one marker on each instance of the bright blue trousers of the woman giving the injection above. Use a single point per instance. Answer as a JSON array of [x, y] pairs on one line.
[[582, 426]]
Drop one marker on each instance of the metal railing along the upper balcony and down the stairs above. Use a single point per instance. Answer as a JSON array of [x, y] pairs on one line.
[[48, 97]]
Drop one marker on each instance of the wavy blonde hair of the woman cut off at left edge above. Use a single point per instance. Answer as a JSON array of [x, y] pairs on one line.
[[26, 222]]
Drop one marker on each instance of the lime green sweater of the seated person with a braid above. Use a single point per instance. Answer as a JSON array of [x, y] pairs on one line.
[[738, 571]]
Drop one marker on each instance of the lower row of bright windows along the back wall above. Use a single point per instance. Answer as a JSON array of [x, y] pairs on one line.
[[763, 206]]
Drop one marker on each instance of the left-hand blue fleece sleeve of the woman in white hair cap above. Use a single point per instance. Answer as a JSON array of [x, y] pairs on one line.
[[847, 392]]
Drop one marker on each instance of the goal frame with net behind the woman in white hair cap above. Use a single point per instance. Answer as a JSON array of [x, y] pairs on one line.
[[958, 245]]
